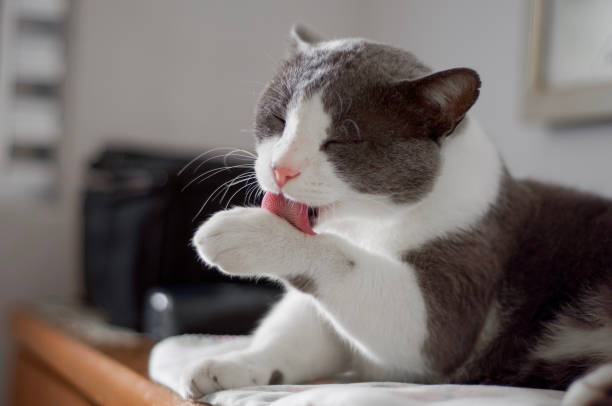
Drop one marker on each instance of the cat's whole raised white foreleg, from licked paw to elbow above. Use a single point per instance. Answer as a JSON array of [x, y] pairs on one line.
[[373, 300]]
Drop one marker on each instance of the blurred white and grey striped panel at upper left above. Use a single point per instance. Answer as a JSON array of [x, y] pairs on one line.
[[32, 69]]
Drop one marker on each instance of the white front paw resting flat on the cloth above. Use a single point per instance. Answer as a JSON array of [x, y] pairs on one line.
[[225, 372]]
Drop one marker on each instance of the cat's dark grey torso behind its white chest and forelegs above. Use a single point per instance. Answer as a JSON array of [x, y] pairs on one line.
[[536, 271]]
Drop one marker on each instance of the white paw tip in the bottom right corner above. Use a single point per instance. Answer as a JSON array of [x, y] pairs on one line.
[[594, 388]]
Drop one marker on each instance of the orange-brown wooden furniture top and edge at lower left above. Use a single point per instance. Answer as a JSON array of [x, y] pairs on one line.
[[104, 375]]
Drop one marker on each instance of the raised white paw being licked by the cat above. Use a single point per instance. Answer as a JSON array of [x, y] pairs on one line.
[[246, 241]]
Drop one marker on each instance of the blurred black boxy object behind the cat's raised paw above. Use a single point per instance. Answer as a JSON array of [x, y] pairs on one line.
[[140, 211]]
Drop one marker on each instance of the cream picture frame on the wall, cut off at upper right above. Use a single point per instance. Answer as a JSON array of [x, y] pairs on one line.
[[571, 96]]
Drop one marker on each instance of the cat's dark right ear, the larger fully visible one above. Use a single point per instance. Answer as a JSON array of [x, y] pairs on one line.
[[450, 94]]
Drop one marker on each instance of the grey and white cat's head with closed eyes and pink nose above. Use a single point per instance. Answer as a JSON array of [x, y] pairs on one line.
[[351, 119]]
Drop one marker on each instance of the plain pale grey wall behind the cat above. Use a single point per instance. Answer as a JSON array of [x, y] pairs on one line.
[[185, 75]]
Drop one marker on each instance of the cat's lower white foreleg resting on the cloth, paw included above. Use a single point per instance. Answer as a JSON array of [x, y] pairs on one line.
[[293, 344]]
